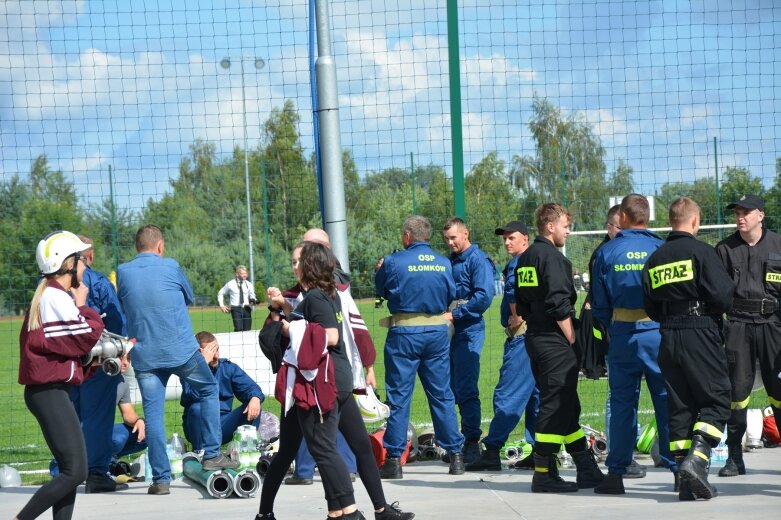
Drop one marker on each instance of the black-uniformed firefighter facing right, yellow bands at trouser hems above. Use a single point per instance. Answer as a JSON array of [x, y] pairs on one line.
[[545, 297]]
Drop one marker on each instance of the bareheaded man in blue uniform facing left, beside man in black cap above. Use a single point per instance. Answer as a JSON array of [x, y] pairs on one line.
[[473, 273]]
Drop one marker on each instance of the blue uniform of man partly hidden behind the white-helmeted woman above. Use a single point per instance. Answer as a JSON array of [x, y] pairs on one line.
[[96, 399]]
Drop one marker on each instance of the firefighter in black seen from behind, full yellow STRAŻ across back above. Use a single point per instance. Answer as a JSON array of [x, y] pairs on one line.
[[687, 290]]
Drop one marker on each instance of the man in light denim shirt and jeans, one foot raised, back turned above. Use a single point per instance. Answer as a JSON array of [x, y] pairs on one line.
[[154, 293]]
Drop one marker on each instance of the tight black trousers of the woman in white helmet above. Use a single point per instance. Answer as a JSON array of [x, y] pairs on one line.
[[52, 407]]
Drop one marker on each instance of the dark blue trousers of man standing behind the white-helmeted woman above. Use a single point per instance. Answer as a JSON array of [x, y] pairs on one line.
[[95, 402]]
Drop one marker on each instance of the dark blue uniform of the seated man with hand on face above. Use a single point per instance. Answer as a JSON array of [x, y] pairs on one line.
[[231, 381]]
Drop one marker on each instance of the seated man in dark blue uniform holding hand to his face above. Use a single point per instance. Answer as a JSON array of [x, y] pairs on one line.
[[232, 382]]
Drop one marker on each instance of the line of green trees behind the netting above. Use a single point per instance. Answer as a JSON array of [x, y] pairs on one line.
[[204, 213]]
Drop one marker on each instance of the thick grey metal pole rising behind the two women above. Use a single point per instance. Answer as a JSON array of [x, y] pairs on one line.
[[334, 209]]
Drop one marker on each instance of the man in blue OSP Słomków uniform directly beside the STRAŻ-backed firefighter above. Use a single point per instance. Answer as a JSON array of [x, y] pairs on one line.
[[617, 300]]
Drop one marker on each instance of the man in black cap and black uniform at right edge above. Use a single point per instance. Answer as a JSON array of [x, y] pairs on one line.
[[752, 256]]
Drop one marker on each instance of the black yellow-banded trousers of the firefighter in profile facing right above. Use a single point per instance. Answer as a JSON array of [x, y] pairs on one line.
[[555, 367]]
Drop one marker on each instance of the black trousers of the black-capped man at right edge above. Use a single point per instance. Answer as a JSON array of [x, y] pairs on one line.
[[747, 343]]
